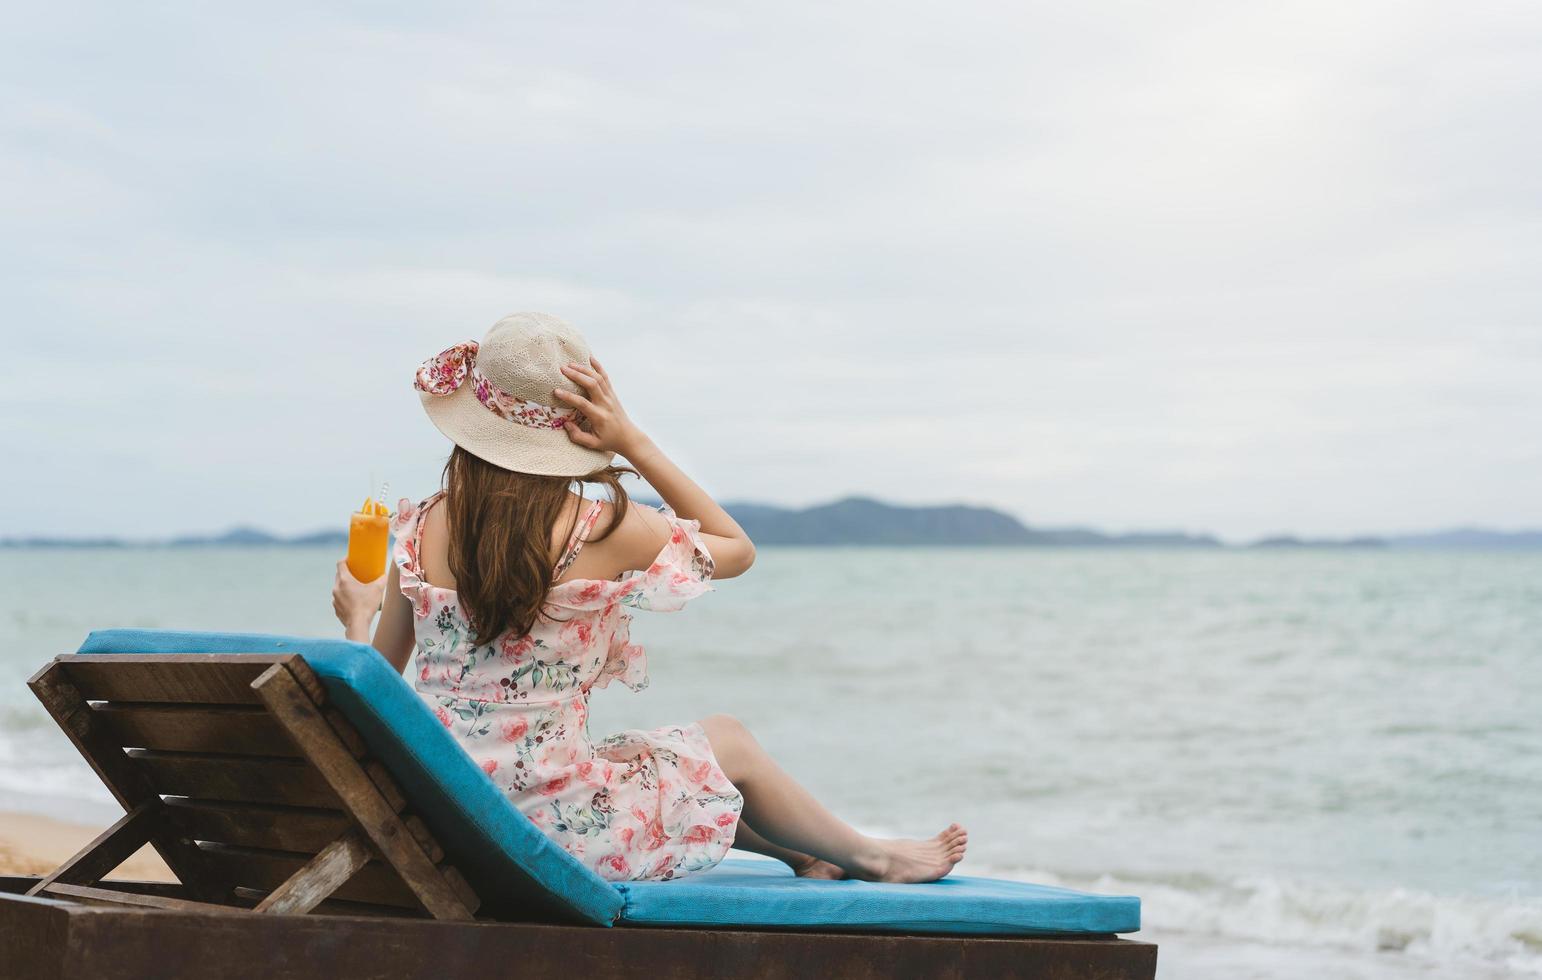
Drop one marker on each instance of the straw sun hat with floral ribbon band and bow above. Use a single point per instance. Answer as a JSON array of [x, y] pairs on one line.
[[494, 400]]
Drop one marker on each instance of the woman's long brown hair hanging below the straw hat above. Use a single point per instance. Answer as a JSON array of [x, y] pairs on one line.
[[502, 539]]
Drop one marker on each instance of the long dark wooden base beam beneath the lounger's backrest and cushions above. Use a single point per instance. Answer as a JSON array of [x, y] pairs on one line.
[[50, 939]]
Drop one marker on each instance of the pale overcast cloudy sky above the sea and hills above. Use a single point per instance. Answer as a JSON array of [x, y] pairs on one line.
[[1230, 267]]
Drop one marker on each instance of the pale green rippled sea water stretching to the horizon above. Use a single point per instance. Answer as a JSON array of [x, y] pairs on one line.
[[1302, 760]]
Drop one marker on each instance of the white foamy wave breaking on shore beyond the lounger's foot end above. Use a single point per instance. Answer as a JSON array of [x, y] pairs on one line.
[[1439, 930]]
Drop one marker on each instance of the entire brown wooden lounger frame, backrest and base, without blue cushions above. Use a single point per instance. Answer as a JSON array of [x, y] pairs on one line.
[[268, 807]]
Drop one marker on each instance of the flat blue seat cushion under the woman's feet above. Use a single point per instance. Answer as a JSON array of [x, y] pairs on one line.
[[747, 893]]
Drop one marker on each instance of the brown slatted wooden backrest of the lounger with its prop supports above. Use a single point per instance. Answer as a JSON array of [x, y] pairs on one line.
[[251, 787]]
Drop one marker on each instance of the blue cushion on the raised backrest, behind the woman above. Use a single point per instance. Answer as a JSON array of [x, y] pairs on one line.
[[505, 857]]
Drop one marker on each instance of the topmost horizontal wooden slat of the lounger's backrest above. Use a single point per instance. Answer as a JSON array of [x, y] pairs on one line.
[[184, 679]]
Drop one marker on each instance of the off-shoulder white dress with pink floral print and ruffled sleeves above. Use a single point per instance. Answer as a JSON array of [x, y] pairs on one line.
[[633, 807]]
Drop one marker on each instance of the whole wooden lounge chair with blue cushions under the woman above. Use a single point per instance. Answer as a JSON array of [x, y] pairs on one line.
[[322, 822]]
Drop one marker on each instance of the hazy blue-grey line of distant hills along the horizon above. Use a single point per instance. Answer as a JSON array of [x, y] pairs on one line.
[[867, 523]]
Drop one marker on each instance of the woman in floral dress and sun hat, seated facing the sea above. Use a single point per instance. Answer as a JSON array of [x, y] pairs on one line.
[[516, 592]]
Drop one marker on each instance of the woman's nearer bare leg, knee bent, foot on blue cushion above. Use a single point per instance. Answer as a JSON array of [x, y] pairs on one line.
[[792, 819]]
